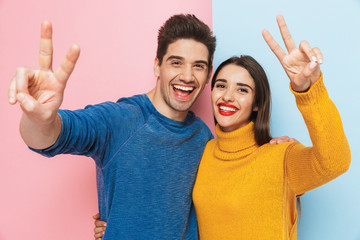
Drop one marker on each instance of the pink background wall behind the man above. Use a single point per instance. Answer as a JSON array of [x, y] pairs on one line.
[[55, 198]]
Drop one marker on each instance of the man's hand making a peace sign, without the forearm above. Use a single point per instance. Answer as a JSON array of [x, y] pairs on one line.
[[40, 91]]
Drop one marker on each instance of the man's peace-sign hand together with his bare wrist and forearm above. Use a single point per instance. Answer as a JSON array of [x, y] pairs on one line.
[[40, 93]]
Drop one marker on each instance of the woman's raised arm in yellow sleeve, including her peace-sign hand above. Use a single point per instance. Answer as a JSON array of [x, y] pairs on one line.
[[309, 167]]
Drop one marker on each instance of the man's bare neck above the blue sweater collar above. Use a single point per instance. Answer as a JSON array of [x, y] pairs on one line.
[[163, 108]]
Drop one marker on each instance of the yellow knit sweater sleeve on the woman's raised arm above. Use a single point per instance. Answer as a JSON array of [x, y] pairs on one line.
[[329, 157]]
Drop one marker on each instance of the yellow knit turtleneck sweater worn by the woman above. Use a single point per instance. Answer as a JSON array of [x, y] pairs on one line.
[[244, 191]]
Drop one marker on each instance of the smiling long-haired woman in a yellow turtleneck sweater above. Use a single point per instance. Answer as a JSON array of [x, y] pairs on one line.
[[245, 187]]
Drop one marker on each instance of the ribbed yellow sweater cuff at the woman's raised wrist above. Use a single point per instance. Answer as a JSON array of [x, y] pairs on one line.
[[316, 92]]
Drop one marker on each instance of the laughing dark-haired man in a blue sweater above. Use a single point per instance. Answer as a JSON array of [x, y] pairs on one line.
[[146, 148]]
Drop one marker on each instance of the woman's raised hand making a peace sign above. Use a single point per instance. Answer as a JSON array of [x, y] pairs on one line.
[[300, 64]]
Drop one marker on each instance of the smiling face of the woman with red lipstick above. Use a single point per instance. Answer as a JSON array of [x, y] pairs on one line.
[[233, 97]]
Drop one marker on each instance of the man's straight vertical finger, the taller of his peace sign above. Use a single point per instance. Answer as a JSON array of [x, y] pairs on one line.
[[46, 46]]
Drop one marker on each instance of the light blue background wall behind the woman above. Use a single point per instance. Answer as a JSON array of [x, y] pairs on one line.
[[331, 211]]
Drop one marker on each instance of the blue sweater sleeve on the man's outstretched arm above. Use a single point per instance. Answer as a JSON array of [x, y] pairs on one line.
[[94, 131]]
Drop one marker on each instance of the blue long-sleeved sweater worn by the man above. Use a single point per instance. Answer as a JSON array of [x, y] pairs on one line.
[[146, 166]]
